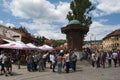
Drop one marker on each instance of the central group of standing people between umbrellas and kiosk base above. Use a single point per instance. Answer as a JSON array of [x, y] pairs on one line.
[[62, 60]]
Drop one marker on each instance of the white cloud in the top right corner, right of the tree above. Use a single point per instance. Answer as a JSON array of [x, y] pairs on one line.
[[106, 7]]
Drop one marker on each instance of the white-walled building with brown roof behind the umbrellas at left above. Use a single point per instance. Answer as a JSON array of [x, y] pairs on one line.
[[15, 35]]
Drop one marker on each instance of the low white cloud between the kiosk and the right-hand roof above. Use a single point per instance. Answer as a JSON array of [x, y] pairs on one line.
[[98, 30]]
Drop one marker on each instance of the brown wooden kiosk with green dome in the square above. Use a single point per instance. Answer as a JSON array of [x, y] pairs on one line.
[[75, 34]]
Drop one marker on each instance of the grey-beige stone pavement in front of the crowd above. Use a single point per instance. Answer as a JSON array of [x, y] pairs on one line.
[[83, 73]]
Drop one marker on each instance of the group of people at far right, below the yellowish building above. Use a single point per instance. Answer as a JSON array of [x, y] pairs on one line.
[[105, 58]]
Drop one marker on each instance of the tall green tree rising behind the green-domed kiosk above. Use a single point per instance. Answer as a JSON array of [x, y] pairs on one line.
[[80, 10]]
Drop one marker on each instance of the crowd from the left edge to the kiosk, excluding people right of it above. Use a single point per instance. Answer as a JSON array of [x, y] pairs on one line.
[[58, 60]]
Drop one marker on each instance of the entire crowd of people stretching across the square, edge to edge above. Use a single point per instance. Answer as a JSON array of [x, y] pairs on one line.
[[59, 60]]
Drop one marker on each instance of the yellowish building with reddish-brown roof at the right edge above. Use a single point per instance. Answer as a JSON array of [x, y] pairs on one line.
[[112, 40]]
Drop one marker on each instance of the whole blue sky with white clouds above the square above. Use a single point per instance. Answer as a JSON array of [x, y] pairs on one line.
[[46, 17]]
